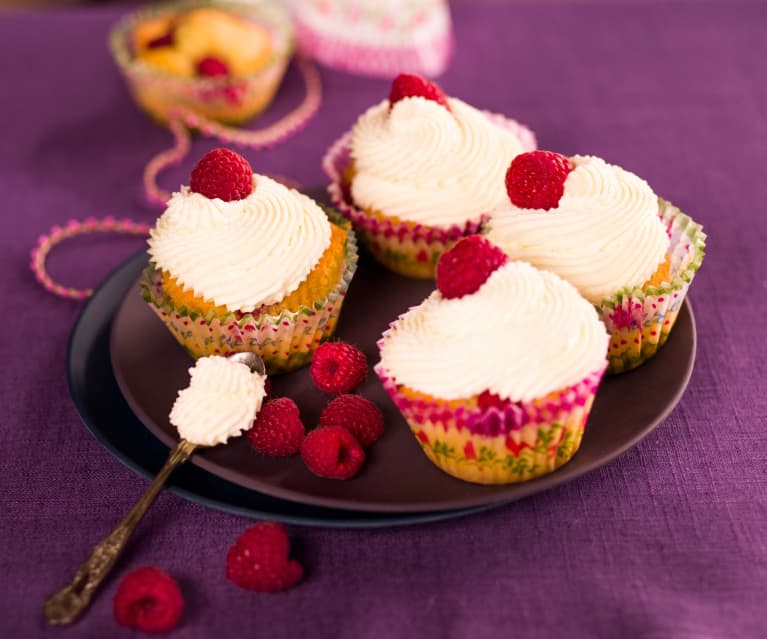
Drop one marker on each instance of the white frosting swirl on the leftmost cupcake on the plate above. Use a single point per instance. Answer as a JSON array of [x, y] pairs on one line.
[[245, 253]]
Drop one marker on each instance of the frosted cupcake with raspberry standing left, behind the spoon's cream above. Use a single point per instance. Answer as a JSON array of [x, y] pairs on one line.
[[239, 262]]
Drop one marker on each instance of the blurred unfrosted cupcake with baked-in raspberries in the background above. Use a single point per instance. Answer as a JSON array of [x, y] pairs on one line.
[[223, 62]]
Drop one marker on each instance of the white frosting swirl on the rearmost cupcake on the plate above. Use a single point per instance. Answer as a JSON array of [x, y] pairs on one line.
[[425, 164]]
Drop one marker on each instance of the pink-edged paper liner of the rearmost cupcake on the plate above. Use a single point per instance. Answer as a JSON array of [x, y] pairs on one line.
[[406, 248]]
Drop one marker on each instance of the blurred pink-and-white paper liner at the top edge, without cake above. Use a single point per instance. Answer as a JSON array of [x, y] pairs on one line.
[[425, 50]]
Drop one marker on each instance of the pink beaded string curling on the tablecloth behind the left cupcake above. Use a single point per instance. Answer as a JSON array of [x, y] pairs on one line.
[[179, 122]]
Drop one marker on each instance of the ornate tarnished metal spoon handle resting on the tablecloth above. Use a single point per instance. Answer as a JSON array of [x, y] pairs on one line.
[[65, 606]]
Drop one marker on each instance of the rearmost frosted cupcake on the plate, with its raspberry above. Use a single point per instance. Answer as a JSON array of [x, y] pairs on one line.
[[419, 171]]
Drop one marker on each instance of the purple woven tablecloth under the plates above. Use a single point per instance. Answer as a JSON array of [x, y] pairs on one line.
[[666, 541]]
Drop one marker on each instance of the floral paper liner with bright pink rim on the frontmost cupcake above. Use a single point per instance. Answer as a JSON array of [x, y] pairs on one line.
[[498, 445]]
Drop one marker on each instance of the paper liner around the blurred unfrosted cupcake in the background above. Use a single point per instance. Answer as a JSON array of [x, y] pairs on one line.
[[221, 99]]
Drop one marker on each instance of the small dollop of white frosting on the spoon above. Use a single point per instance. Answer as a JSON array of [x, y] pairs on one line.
[[221, 401]]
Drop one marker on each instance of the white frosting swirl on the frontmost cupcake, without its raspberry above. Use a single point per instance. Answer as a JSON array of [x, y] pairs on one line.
[[523, 334]]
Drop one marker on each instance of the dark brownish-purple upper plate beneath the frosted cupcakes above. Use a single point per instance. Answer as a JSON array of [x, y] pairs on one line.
[[150, 368]]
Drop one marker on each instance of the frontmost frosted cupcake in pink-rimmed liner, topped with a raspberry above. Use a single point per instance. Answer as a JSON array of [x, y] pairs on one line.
[[496, 371]]
